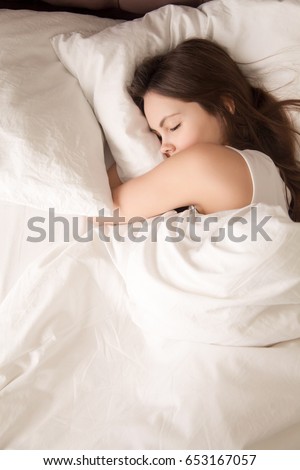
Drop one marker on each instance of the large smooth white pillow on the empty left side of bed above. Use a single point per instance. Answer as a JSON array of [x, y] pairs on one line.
[[51, 144]]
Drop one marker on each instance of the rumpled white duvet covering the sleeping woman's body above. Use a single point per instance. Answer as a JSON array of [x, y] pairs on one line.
[[156, 344]]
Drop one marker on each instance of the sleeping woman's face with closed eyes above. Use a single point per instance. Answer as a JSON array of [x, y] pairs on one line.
[[180, 125]]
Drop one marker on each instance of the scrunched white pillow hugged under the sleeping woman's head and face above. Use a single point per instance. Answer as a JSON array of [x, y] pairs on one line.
[[104, 65]]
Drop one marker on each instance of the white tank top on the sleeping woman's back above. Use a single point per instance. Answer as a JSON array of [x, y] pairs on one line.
[[268, 186]]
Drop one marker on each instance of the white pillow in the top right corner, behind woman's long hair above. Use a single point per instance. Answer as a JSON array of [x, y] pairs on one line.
[[264, 38]]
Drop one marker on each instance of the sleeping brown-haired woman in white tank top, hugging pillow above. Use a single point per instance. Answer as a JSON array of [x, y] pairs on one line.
[[226, 144]]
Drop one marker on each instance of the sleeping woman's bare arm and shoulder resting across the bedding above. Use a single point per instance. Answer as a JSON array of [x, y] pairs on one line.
[[211, 177]]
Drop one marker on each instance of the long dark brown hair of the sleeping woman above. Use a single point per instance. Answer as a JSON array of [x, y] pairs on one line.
[[198, 70]]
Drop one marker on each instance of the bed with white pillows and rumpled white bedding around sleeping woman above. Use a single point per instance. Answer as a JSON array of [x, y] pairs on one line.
[[120, 340]]
